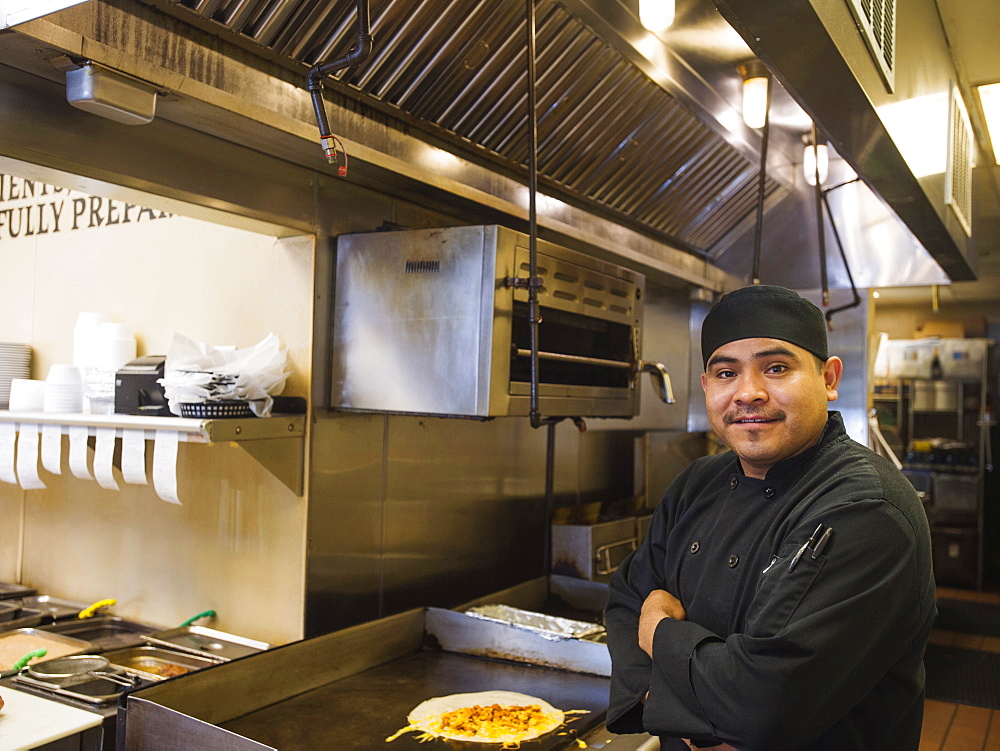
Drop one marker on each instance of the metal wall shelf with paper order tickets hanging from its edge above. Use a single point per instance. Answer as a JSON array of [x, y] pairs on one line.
[[277, 442]]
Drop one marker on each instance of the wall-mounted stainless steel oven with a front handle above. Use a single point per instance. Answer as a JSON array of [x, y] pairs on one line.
[[428, 322]]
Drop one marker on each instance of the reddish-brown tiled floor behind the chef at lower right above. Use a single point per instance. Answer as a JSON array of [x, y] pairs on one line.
[[957, 727]]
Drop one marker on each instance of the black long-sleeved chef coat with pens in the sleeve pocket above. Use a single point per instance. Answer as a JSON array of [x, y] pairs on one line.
[[828, 655]]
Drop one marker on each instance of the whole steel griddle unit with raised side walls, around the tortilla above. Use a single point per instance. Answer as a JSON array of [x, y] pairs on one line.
[[355, 687]]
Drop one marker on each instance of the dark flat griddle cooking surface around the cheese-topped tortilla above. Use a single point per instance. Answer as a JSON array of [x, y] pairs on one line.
[[361, 711]]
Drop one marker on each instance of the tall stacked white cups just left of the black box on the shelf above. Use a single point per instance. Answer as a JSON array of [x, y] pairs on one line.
[[100, 348]]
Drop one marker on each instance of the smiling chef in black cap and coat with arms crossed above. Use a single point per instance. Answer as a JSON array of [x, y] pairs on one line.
[[784, 594]]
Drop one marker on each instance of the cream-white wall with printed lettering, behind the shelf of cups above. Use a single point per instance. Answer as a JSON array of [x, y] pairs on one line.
[[237, 544]]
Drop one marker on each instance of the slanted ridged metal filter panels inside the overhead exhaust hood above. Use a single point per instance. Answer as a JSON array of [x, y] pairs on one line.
[[609, 137]]
